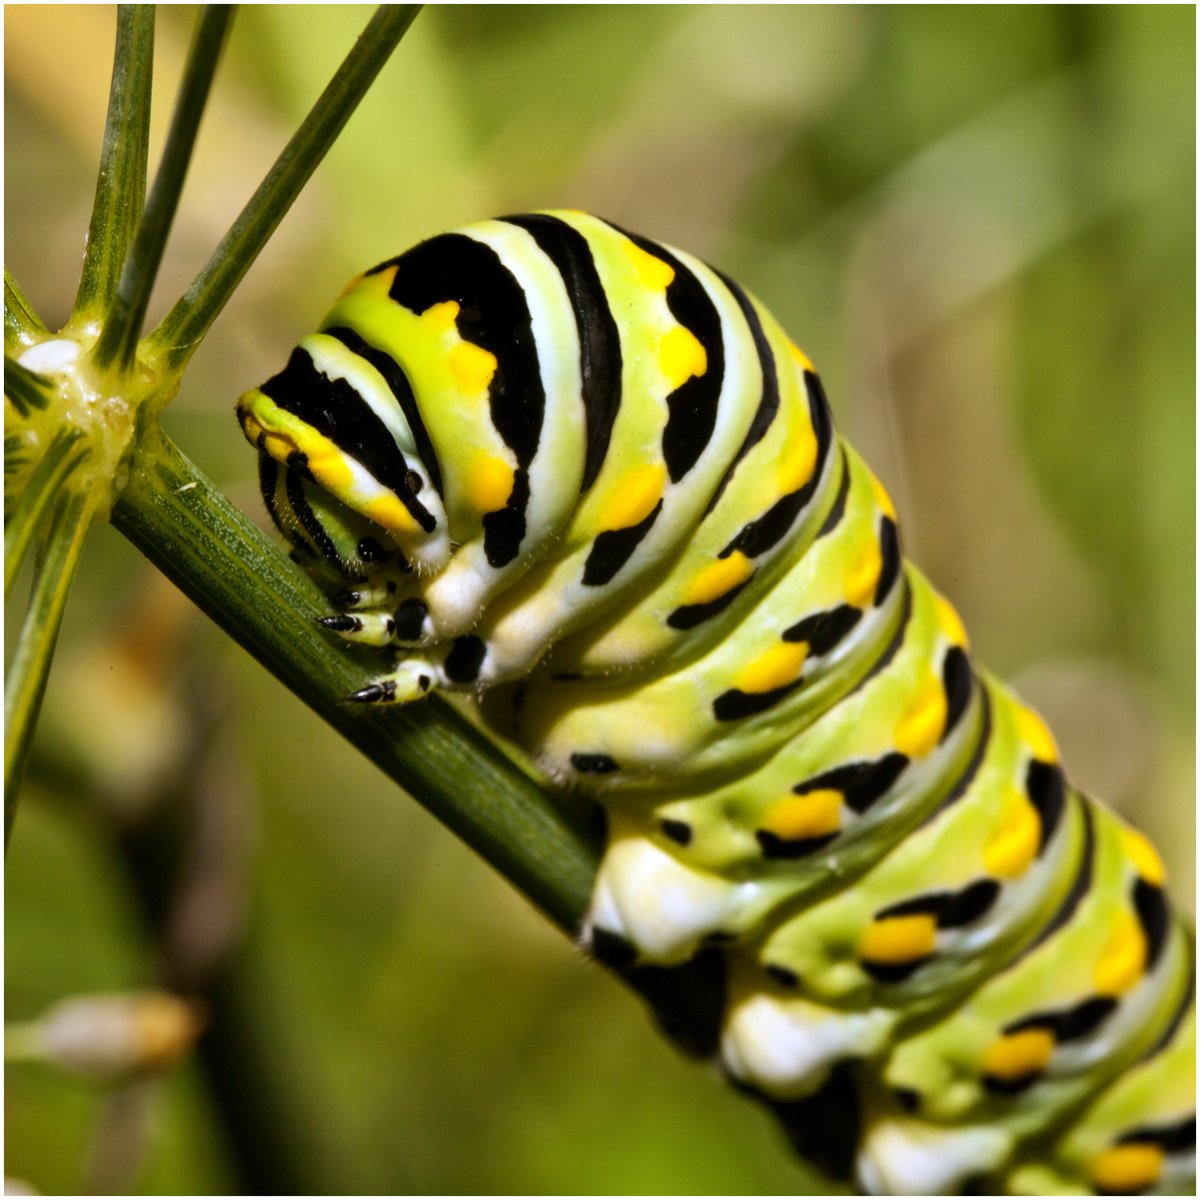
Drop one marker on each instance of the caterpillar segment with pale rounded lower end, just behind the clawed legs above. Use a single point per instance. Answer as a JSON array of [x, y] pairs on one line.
[[744, 696]]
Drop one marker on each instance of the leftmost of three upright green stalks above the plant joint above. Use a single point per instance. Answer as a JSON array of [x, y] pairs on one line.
[[122, 183]]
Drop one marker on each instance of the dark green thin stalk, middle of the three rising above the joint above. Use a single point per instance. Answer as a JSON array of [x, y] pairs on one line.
[[123, 326]]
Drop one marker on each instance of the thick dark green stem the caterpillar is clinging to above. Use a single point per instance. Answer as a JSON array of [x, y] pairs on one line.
[[193, 534]]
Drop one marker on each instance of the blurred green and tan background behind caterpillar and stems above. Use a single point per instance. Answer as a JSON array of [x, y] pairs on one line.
[[978, 222]]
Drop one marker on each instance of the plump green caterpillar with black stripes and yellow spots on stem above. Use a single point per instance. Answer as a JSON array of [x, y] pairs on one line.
[[590, 480]]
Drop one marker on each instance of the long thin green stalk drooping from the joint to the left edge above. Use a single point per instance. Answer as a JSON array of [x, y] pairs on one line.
[[35, 648]]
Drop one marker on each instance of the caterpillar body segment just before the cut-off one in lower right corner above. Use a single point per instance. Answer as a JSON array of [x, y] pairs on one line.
[[1030, 1047]]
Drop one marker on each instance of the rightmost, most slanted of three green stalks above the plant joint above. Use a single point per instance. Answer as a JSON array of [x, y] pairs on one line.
[[180, 334]]
